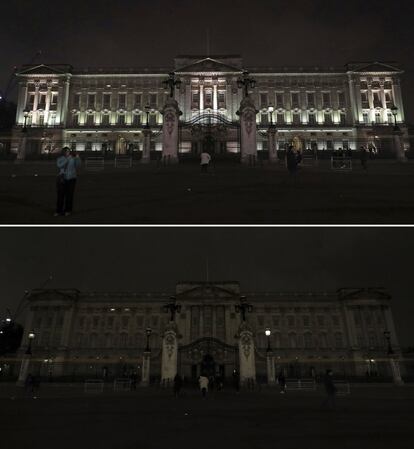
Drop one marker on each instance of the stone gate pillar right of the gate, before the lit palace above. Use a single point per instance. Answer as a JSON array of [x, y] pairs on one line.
[[248, 136]]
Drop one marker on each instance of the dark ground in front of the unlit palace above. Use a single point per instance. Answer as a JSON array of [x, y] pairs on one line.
[[371, 417]]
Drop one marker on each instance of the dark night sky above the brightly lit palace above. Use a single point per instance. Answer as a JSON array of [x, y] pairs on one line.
[[265, 32]]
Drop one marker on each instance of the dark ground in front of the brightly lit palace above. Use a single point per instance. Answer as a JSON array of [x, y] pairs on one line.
[[227, 195]]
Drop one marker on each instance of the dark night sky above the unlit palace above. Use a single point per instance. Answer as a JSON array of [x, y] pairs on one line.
[[262, 259]]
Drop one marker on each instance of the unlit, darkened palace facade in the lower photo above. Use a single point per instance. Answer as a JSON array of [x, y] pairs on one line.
[[80, 333]]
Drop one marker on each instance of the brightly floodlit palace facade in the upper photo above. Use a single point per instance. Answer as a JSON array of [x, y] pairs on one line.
[[109, 110]]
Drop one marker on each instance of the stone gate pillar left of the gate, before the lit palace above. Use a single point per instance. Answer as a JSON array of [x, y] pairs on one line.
[[171, 114]]
